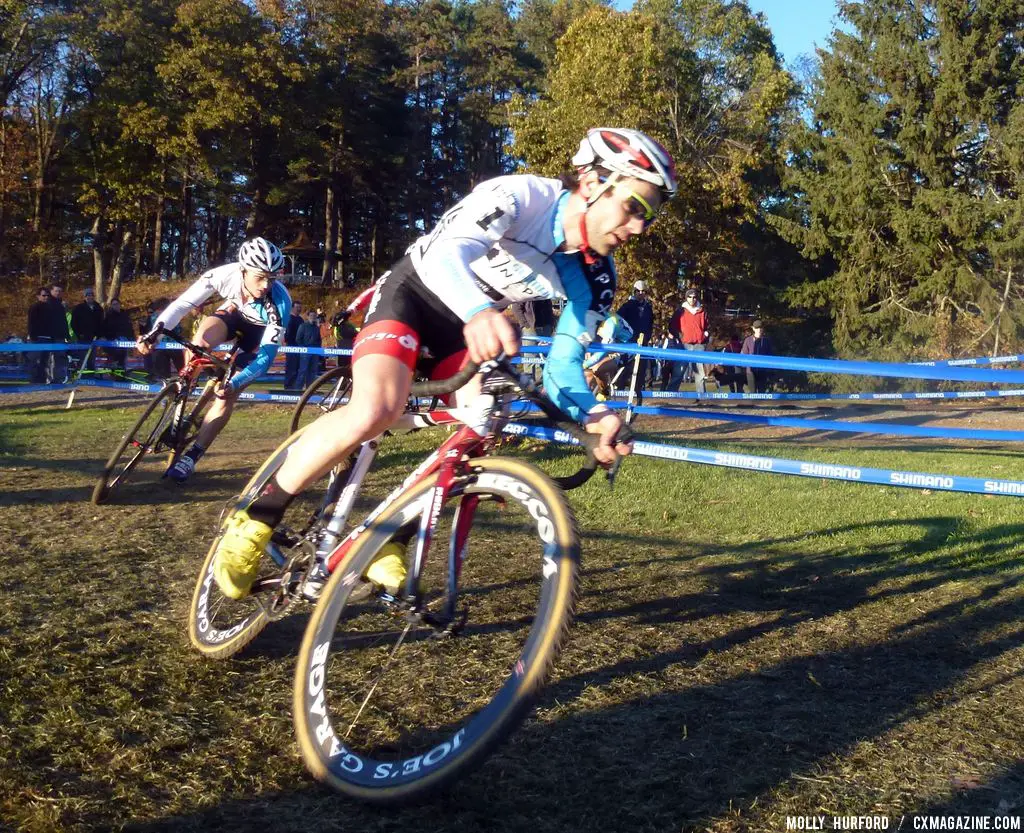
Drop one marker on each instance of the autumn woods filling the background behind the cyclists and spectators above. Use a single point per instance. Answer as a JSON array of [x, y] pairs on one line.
[[881, 192]]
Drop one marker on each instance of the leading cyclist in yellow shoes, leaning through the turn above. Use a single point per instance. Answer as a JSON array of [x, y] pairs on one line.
[[513, 239]]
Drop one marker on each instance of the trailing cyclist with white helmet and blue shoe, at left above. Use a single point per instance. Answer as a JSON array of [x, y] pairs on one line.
[[254, 313]]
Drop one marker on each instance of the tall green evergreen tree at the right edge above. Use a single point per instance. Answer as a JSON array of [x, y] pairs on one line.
[[910, 176]]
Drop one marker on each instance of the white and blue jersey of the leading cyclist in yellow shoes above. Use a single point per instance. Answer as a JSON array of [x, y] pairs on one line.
[[505, 243]]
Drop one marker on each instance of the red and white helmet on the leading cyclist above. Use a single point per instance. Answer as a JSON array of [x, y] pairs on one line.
[[628, 153]]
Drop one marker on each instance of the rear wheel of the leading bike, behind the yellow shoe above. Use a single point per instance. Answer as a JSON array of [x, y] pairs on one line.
[[221, 643]]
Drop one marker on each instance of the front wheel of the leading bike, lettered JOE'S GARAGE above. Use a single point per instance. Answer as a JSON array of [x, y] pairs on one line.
[[393, 701]]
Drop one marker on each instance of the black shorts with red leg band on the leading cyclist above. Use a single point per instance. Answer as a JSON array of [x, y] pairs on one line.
[[404, 317]]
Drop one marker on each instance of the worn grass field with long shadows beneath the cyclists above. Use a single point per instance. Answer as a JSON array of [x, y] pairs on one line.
[[748, 647]]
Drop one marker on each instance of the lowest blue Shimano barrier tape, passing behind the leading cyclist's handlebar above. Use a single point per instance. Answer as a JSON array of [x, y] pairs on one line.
[[778, 466]]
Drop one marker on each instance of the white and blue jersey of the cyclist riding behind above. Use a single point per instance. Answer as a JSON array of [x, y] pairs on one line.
[[271, 313]]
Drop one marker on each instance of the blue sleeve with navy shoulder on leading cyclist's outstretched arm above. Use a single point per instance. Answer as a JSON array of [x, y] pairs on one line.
[[589, 298]]
